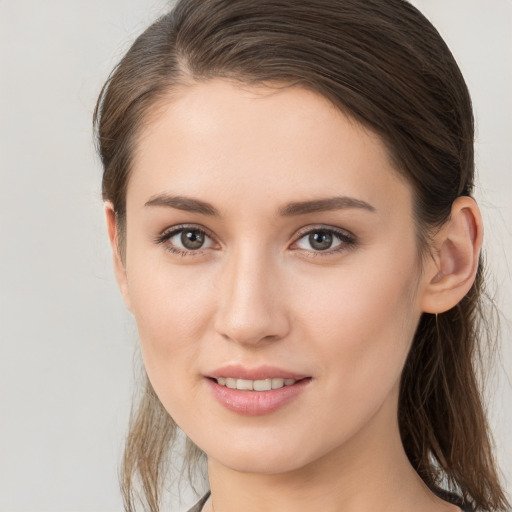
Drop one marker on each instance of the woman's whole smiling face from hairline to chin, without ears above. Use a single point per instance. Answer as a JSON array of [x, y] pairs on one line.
[[270, 248]]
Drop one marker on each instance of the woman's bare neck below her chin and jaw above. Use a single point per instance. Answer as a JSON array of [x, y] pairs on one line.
[[367, 473]]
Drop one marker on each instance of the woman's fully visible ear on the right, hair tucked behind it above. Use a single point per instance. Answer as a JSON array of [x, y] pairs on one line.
[[452, 270]]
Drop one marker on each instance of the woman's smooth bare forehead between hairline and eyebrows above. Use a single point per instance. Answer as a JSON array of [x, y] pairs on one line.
[[254, 145]]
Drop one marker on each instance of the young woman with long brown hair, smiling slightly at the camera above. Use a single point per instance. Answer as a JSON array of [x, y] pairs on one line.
[[288, 198]]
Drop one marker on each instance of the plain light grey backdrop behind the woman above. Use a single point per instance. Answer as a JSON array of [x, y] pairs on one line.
[[66, 342]]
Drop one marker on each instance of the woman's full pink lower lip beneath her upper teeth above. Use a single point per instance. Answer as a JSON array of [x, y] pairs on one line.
[[256, 403]]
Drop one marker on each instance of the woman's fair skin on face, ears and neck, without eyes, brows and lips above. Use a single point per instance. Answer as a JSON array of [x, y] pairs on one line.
[[259, 293]]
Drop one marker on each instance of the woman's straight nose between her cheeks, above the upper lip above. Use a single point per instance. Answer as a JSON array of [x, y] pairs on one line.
[[252, 302]]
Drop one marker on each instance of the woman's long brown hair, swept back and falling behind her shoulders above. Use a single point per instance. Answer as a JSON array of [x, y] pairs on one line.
[[384, 64]]
